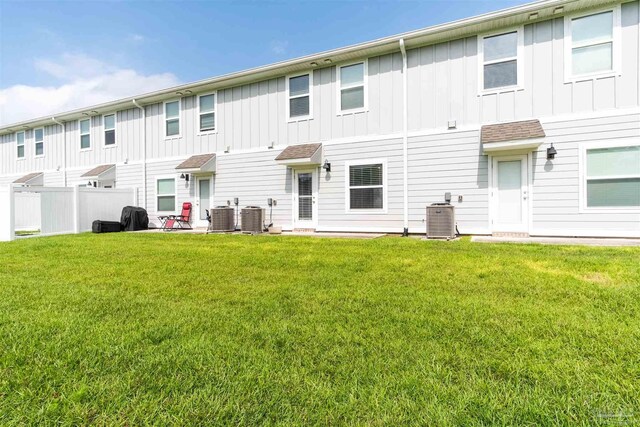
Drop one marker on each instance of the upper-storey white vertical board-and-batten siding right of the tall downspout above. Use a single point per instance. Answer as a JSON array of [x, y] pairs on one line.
[[444, 80]]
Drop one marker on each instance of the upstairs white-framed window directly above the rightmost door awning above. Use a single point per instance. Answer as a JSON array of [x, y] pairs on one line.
[[500, 57]]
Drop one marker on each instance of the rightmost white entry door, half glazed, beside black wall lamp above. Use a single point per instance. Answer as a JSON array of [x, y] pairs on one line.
[[510, 194]]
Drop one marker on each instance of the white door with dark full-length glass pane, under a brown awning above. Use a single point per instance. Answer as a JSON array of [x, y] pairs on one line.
[[305, 209]]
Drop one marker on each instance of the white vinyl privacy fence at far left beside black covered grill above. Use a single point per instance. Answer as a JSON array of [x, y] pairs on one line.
[[59, 210]]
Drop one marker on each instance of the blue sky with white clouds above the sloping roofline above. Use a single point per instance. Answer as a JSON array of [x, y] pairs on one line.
[[55, 56]]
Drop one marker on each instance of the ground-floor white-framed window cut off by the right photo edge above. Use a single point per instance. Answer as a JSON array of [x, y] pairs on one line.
[[612, 177]]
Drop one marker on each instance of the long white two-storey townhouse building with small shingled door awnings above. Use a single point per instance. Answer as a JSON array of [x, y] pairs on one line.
[[529, 117]]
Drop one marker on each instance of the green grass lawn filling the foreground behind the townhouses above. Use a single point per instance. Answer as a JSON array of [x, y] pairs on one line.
[[130, 329]]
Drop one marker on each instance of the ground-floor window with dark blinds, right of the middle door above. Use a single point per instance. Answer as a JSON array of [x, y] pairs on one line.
[[366, 186]]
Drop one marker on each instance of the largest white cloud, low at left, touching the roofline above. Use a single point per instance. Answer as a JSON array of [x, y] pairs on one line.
[[85, 82]]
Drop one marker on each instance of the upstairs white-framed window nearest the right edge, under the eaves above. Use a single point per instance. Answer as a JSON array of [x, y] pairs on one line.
[[591, 43]]
